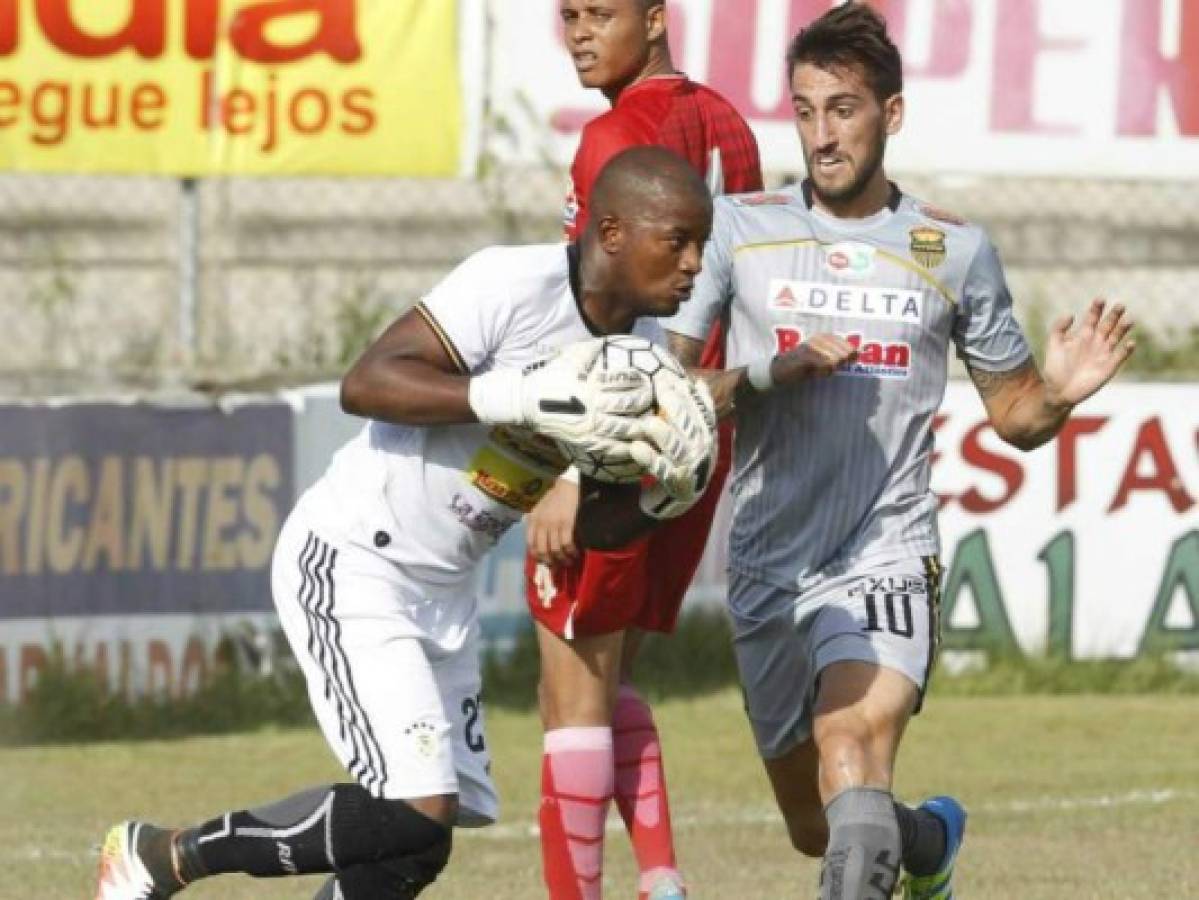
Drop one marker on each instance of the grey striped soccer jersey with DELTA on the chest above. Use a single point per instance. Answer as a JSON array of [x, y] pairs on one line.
[[835, 473]]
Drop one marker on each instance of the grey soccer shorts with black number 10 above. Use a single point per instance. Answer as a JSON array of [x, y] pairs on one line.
[[885, 613]]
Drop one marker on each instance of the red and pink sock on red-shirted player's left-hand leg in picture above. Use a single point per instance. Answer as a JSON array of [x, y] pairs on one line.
[[576, 790]]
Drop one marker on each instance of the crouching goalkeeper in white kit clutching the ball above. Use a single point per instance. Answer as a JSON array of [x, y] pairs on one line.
[[469, 397]]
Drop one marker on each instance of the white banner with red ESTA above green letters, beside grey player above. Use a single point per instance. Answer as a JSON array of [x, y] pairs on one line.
[[1088, 547]]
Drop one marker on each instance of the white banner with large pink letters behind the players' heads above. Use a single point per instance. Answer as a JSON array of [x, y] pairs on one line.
[[1013, 87]]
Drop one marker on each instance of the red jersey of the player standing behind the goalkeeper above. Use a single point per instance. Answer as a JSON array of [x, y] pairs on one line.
[[676, 113]]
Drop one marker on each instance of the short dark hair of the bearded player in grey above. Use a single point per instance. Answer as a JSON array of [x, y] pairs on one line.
[[847, 37]]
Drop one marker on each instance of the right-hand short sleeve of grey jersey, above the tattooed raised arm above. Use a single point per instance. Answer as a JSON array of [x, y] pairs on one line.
[[985, 331]]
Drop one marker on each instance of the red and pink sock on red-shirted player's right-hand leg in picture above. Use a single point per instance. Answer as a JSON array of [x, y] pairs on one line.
[[642, 788]]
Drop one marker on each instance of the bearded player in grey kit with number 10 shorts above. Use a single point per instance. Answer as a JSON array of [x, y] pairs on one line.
[[845, 295]]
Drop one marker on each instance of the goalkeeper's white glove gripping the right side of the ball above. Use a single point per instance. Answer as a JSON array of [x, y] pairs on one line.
[[686, 450]]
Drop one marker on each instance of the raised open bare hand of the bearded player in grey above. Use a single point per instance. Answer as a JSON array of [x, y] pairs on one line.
[[1081, 361]]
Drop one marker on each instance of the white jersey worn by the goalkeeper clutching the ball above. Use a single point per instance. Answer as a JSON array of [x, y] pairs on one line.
[[435, 500]]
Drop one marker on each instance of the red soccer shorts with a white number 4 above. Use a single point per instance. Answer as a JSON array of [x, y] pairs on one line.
[[638, 587]]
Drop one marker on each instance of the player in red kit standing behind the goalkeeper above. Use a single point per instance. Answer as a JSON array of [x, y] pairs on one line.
[[592, 609]]
